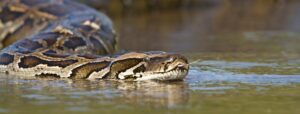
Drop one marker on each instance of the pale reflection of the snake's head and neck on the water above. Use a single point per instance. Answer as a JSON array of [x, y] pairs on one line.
[[136, 92]]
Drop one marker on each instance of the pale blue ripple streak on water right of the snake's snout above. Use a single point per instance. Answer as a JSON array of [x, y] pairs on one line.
[[204, 76]]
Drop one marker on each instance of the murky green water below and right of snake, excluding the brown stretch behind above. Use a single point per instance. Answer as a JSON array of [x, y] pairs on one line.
[[218, 83]]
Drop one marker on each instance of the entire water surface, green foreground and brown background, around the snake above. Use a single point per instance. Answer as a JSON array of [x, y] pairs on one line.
[[242, 61]]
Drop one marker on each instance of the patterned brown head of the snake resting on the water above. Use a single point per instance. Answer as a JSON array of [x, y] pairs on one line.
[[150, 66]]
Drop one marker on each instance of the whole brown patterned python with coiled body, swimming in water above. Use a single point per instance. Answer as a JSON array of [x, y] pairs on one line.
[[64, 39]]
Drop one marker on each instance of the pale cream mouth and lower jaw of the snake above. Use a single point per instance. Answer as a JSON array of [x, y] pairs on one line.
[[178, 73]]
